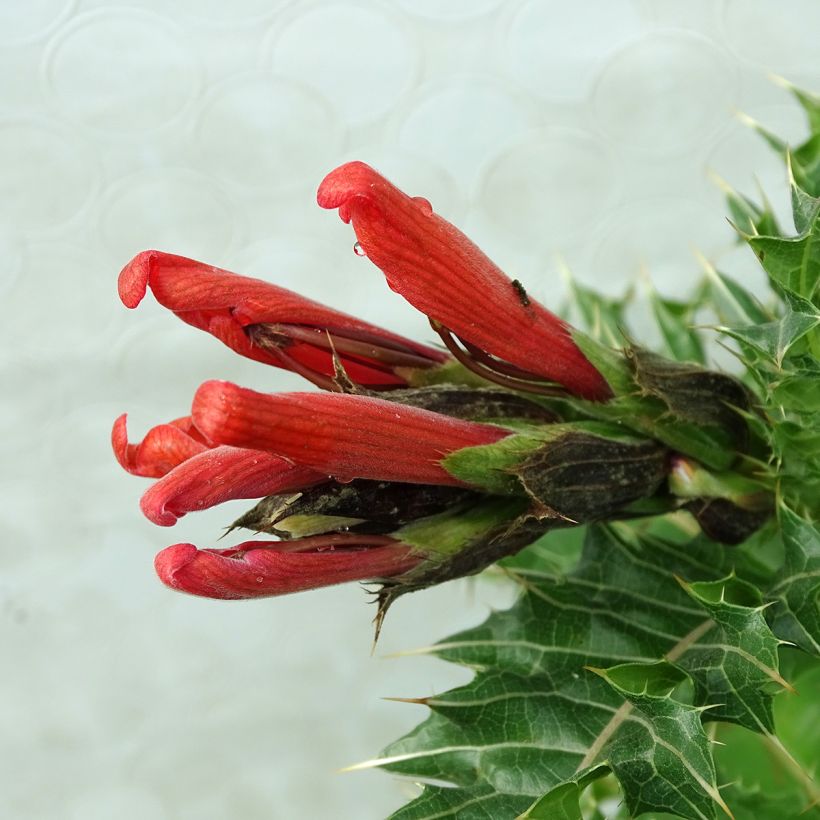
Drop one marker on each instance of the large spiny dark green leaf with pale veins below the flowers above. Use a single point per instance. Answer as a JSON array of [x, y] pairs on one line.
[[534, 718]]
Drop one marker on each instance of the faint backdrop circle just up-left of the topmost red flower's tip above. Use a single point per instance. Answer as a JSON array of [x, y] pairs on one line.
[[264, 132]]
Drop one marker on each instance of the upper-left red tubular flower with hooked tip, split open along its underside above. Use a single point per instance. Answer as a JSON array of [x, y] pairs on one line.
[[224, 304]]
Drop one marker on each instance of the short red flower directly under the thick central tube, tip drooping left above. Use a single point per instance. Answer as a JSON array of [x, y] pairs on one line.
[[218, 475]]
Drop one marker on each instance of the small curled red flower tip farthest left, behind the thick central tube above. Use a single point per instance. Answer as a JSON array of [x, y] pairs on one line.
[[163, 448]]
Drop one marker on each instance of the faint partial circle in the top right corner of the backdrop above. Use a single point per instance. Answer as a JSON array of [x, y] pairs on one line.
[[760, 32]]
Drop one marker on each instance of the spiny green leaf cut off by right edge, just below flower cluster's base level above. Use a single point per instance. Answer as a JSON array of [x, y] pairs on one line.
[[796, 615]]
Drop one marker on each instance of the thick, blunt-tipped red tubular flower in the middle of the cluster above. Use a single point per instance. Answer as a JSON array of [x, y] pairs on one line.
[[346, 436]]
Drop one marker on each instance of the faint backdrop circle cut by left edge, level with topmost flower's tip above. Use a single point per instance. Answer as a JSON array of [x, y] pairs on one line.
[[46, 176]]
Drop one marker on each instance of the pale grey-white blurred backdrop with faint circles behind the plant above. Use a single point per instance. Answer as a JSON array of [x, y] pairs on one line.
[[545, 129]]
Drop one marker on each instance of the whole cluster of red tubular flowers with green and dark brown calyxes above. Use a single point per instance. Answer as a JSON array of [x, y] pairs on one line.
[[417, 463]]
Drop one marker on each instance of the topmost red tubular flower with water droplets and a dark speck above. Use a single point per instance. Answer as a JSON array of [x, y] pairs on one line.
[[442, 273]]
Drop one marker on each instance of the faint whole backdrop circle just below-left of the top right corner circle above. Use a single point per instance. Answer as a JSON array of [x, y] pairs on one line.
[[664, 94]]
